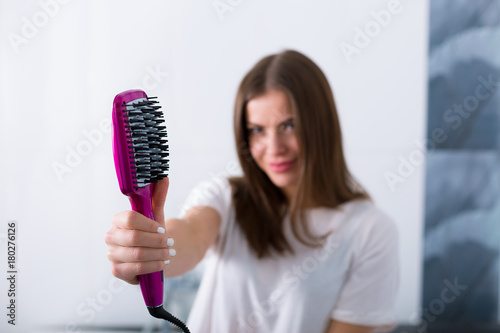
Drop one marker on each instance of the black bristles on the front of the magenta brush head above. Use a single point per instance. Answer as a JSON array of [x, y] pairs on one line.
[[147, 141]]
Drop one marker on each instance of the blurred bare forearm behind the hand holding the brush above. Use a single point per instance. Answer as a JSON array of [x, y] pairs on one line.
[[189, 251]]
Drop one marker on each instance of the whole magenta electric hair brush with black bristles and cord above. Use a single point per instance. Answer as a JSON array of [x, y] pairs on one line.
[[140, 152]]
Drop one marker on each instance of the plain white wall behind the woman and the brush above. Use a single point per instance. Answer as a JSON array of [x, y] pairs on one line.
[[61, 80]]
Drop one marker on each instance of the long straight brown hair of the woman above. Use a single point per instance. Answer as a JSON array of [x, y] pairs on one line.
[[324, 178]]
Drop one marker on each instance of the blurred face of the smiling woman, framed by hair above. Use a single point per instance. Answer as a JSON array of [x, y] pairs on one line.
[[273, 143]]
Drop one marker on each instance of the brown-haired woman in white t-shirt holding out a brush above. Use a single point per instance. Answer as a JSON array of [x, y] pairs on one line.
[[295, 244]]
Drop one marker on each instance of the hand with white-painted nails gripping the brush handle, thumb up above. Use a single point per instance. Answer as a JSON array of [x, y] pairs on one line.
[[136, 244]]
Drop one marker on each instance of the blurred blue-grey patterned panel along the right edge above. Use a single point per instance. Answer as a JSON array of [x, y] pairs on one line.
[[462, 213]]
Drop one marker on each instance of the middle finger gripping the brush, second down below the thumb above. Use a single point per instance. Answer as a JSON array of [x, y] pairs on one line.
[[137, 238]]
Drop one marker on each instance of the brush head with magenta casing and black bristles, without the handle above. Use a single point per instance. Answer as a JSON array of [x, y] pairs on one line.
[[140, 147]]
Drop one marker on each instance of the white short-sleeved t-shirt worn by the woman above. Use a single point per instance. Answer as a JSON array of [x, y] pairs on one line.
[[353, 278]]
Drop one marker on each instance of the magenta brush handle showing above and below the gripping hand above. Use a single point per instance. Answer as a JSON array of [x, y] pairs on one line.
[[152, 283]]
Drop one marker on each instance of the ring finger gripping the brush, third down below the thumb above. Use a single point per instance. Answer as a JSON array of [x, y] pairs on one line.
[[138, 254]]
